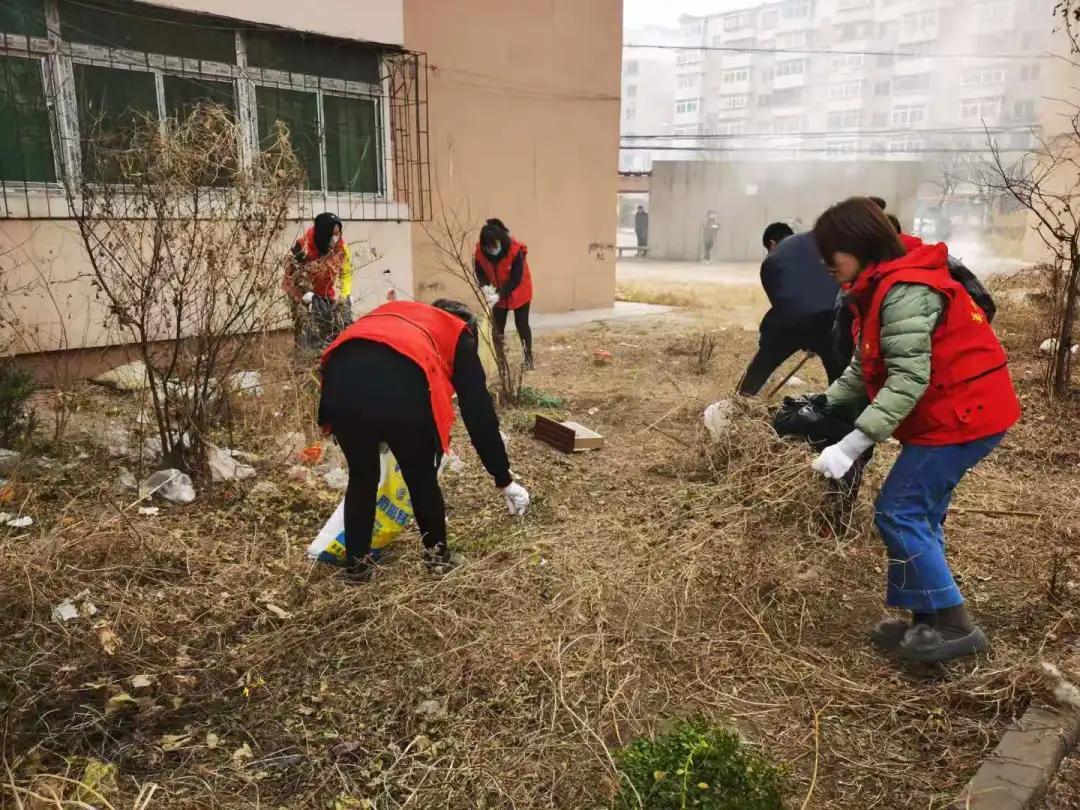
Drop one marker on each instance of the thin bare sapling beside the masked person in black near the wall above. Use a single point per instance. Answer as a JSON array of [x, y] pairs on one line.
[[453, 234]]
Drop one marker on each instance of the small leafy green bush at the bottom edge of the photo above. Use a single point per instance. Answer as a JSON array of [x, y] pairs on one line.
[[697, 765]]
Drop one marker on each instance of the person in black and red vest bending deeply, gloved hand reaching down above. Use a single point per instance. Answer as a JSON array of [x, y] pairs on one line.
[[390, 379]]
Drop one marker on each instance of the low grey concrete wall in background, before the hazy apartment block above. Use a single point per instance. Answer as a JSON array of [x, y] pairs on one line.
[[747, 197]]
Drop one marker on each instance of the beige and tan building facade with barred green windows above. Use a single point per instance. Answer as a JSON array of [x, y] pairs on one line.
[[528, 133]]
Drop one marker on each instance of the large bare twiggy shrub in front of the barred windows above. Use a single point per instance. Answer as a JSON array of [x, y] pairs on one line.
[[183, 227]]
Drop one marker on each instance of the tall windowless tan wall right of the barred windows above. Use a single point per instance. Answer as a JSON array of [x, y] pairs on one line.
[[524, 118]]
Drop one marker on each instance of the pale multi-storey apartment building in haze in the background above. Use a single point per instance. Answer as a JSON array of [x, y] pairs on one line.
[[858, 79]]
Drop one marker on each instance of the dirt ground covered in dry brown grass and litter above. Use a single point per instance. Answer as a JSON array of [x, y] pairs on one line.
[[660, 577]]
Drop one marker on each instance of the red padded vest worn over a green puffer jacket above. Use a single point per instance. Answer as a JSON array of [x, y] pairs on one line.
[[970, 395]]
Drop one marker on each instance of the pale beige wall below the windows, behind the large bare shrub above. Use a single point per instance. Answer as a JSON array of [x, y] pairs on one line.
[[56, 306]]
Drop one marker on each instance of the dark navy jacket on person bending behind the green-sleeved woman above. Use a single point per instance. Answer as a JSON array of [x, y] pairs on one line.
[[798, 283]]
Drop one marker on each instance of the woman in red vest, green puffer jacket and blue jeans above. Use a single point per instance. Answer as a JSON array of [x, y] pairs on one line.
[[930, 372]]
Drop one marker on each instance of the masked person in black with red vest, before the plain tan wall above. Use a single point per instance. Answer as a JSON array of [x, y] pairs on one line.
[[503, 269]]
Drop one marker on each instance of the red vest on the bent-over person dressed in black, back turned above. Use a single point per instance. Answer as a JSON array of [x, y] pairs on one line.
[[426, 335]]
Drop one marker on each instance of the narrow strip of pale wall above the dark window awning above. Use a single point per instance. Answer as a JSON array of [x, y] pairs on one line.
[[374, 21]]
